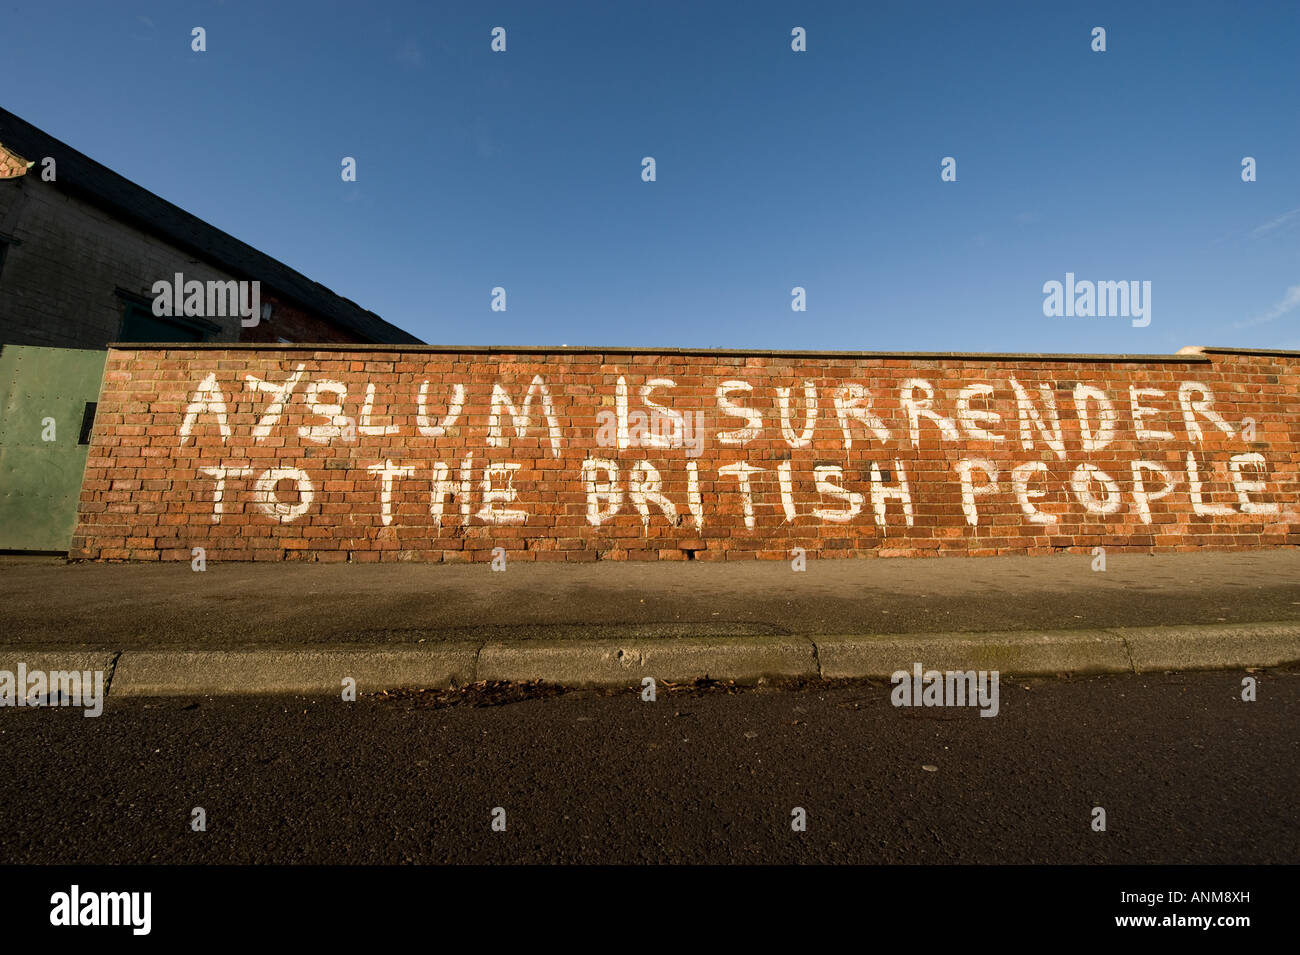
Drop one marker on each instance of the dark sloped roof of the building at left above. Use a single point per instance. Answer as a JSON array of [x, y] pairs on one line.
[[84, 177]]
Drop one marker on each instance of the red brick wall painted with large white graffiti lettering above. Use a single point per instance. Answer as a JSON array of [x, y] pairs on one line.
[[148, 496]]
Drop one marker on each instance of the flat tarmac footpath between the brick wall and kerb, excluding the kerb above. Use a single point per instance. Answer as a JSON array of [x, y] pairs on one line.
[[49, 602]]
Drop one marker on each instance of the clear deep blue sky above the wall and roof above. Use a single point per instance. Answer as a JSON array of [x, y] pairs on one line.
[[775, 170]]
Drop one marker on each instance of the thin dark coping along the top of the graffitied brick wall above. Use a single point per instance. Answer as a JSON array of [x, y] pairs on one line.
[[1194, 355]]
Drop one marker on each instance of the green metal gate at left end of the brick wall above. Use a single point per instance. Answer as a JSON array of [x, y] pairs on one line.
[[47, 406]]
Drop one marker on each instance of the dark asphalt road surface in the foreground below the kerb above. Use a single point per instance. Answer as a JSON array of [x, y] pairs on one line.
[[1186, 771]]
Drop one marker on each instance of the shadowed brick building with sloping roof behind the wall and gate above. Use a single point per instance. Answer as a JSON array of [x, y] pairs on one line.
[[83, 250]]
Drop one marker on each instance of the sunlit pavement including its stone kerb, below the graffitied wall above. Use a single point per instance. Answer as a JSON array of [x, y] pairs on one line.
[[302, 628]]
